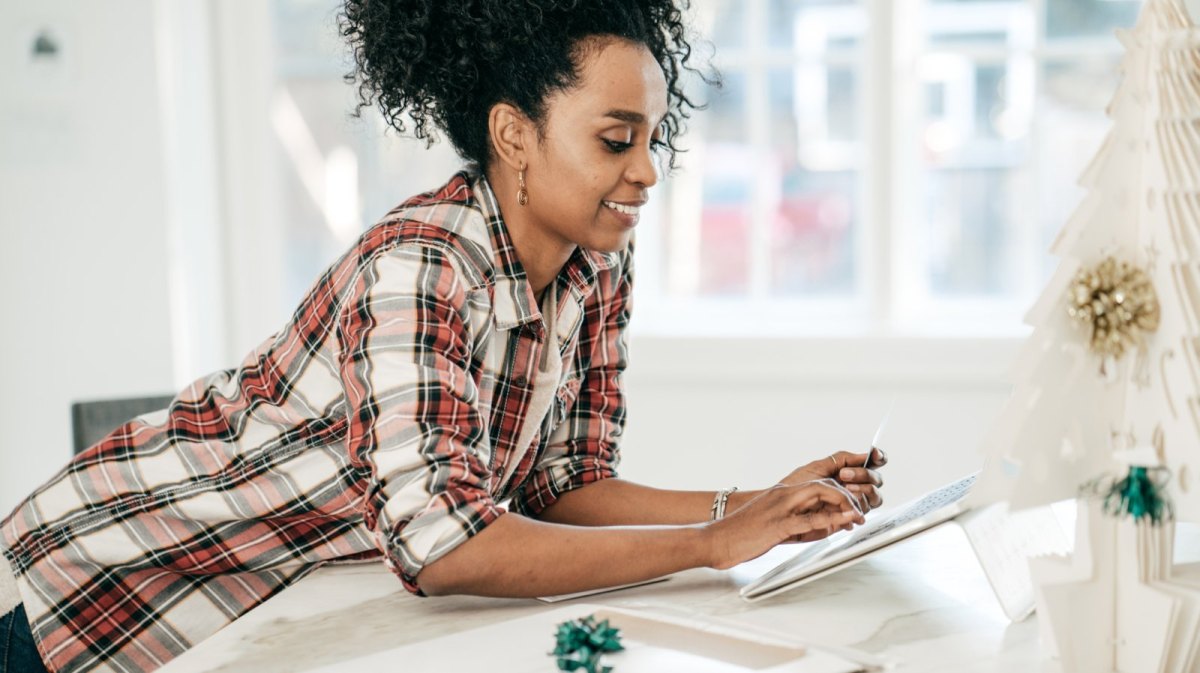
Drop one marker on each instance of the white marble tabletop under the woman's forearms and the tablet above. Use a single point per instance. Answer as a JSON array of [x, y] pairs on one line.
[[920, 606]]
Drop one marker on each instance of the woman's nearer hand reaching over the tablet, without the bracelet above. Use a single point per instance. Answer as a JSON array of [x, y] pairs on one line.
[[802, 513]]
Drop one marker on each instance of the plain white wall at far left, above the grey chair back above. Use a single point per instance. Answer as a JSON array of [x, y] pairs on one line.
[[85, 279]]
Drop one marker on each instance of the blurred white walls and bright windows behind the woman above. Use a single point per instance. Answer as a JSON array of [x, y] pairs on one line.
[[863, 217]]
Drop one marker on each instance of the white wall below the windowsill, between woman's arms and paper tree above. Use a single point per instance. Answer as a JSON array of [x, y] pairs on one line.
[[717, 413]]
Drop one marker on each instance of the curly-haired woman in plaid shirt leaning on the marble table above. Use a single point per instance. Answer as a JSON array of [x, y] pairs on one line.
[[469, 351]]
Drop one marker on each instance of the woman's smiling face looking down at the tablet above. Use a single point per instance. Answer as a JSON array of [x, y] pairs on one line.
[[595, 165]]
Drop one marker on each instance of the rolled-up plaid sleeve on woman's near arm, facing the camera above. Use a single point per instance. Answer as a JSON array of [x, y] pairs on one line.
[[413, 408]]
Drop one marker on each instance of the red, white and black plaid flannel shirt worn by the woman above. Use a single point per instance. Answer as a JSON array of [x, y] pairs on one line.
[[379, 423]]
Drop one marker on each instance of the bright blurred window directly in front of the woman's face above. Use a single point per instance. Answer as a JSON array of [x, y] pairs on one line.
[[765, 223]]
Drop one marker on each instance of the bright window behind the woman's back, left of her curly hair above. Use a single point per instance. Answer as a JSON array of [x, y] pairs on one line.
[[340, 173]]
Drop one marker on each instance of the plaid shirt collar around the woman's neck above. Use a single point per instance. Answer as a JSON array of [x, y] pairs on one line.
[[514, 301]]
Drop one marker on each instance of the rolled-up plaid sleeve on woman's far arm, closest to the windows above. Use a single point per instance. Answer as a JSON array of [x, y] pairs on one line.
[[586, 447]]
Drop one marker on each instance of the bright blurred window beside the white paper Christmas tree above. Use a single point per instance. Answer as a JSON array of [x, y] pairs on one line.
[[1011, 107]]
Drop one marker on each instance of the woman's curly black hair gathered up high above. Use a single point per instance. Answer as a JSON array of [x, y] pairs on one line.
[[443, 64]]
